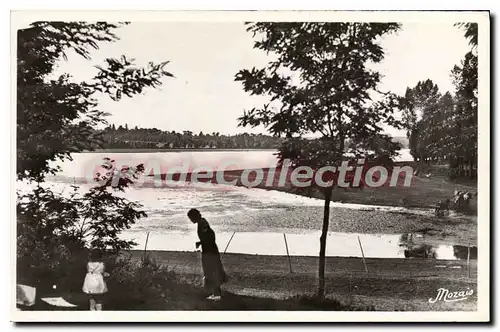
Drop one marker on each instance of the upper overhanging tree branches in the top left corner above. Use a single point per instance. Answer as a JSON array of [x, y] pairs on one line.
[[55, 115]]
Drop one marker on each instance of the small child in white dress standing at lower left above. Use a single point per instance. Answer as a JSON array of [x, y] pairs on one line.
[[94, 284]]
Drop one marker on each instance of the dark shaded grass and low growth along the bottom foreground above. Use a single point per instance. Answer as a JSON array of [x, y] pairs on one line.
[[145, 285]]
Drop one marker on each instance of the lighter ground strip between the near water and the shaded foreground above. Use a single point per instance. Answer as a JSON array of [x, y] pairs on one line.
[[391, 284]]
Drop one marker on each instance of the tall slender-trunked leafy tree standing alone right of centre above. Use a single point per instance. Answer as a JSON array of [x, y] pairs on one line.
[[319, 83]]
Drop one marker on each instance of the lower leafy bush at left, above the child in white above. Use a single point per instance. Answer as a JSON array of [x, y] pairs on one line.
[[55, 227]]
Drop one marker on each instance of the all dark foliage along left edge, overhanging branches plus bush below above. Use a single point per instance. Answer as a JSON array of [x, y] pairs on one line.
[[56, 116]]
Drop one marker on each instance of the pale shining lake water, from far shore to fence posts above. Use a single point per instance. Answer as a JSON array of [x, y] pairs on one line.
[[169, 229]]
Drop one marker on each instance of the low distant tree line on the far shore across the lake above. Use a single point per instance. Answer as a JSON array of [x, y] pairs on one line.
[[152, 138]]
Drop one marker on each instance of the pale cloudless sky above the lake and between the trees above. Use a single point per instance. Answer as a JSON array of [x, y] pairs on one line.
[[205, 56]]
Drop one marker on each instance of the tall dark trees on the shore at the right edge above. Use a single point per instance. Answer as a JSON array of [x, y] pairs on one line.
[[442, 128]]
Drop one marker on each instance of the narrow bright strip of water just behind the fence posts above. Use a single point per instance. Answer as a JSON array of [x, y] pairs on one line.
[[305, 244]]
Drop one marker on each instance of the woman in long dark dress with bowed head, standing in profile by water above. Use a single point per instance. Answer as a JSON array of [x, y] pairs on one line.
[[210, 257]]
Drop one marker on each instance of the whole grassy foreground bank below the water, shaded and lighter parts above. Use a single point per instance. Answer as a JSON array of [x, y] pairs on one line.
[[172, 281]]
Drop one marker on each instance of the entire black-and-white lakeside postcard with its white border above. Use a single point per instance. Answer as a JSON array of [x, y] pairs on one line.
[[303, 166]]
